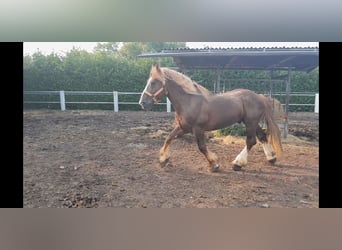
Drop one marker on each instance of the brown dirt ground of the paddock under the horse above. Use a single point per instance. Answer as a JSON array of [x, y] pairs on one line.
[[107, 159]]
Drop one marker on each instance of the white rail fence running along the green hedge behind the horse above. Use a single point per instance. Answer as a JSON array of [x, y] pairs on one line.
[[116, 98]]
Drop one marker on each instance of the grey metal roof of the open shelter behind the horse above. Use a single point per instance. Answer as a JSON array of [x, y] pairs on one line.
[[298, 59]]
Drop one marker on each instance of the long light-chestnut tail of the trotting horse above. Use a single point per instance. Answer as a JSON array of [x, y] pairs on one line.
[[273, 132]]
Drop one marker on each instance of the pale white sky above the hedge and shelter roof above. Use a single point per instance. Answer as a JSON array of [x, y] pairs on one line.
[[63, 47]]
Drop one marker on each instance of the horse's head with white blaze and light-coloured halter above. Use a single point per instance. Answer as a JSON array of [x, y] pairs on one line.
[[155, 88]]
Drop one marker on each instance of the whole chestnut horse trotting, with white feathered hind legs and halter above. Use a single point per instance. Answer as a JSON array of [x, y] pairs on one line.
[[198, 110]]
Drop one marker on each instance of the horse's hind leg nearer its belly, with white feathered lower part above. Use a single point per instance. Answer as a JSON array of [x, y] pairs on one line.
[[241, 159]]
